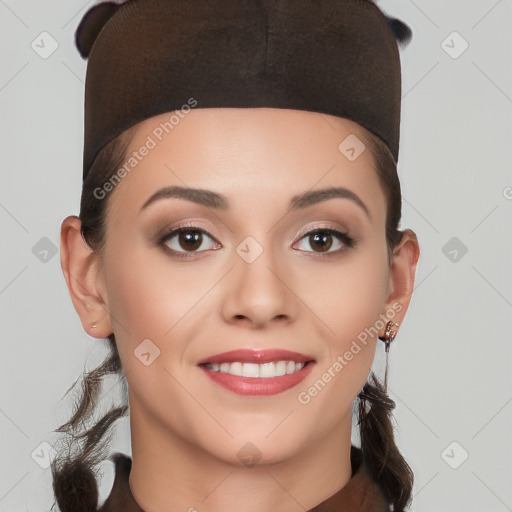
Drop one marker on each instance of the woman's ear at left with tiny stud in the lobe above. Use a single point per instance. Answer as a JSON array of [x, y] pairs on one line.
[[82, 270]]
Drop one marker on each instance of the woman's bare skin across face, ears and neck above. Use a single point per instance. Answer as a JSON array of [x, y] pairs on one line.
[[186, 430]]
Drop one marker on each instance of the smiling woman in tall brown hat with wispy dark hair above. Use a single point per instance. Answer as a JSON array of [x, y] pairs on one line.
[[238, 245]]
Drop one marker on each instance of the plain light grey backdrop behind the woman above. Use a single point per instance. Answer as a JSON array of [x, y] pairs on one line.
[[450, 366]]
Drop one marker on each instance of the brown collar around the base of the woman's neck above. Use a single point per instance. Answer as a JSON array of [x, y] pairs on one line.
[[360, 494]]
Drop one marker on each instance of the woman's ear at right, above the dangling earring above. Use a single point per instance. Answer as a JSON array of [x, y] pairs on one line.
[[401, 275]]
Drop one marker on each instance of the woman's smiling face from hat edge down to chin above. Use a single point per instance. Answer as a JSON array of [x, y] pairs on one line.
[[247, 275]]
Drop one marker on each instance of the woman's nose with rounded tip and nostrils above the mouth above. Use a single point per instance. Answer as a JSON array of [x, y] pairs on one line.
[[259, 293]]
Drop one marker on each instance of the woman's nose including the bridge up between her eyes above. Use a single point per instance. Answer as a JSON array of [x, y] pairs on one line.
[[256, 290]]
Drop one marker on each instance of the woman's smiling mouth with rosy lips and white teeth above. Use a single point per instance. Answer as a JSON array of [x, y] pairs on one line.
[[257, 372]]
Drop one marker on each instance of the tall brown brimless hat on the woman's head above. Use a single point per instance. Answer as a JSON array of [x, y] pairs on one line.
[[148, 57]]
